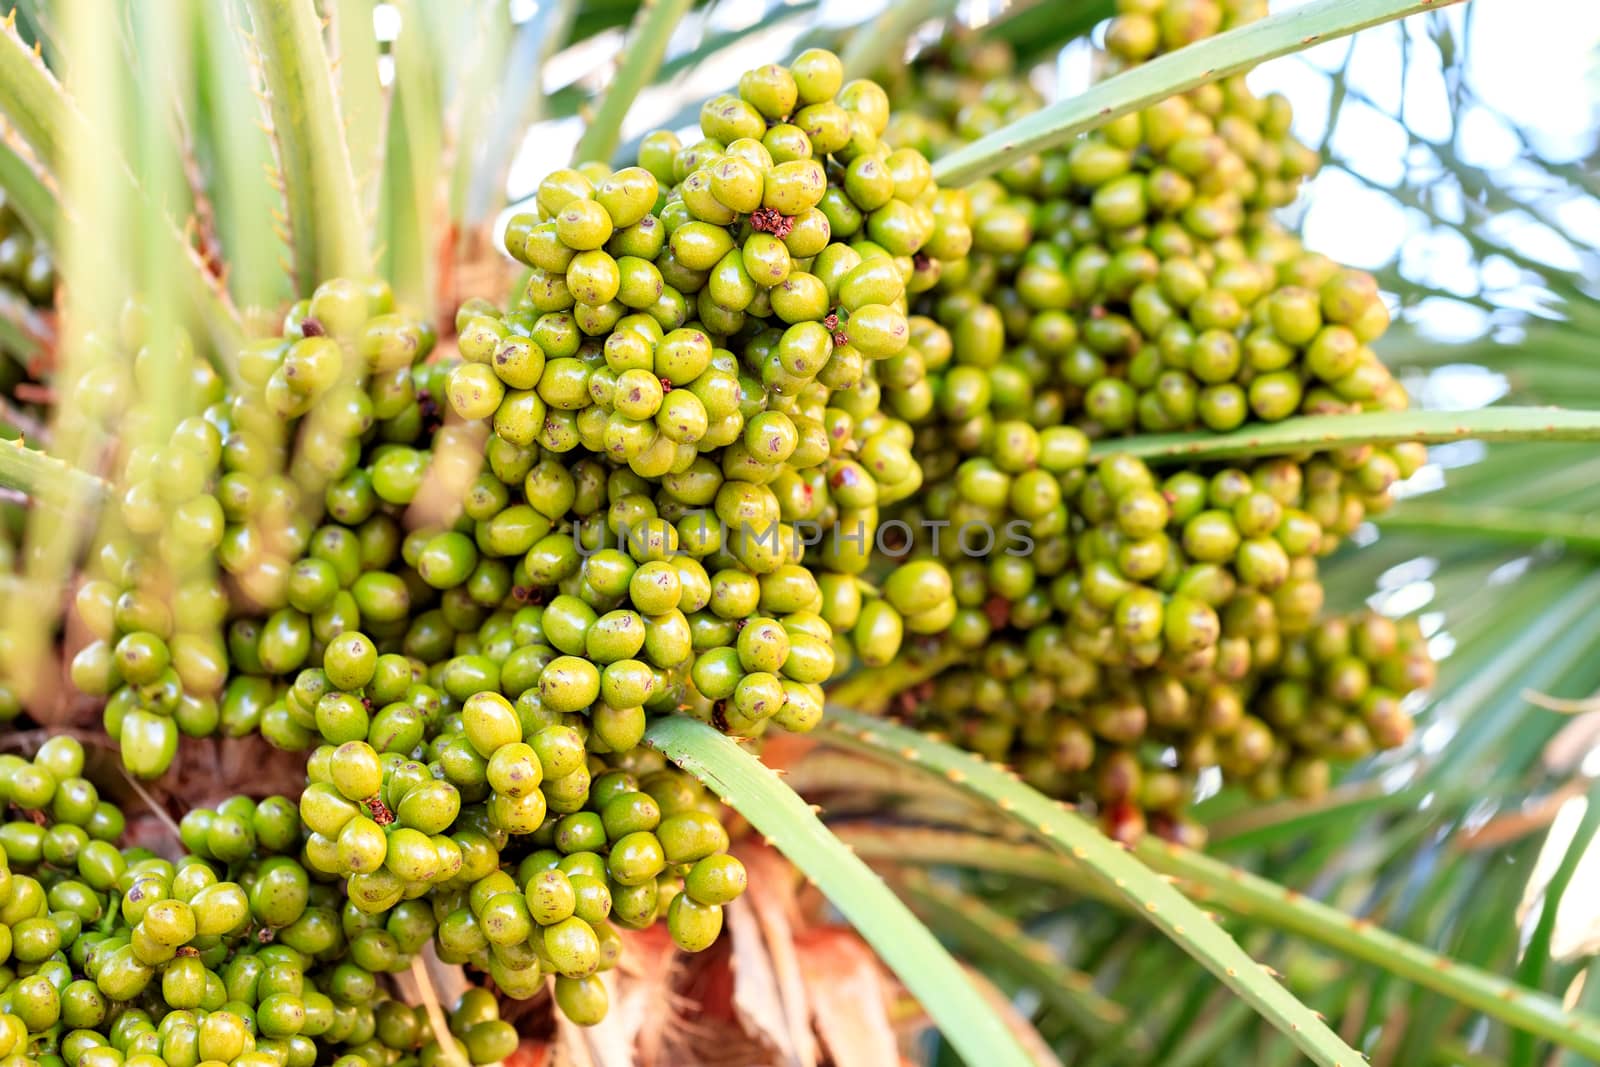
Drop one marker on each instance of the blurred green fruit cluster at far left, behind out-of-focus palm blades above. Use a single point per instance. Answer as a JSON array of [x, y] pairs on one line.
[[214, 572]]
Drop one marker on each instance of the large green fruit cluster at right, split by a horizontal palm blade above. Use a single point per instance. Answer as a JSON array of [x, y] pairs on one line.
[[1148, 626]]
